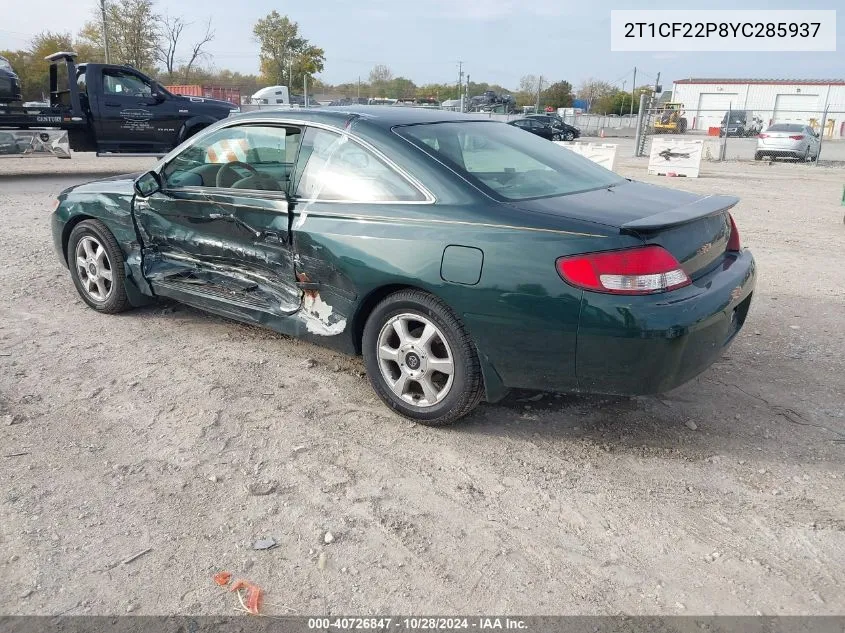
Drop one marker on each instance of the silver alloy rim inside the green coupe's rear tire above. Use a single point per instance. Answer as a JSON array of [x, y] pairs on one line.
[[415, 360]]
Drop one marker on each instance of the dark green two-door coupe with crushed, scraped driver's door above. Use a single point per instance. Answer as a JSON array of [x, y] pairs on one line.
[[418, 238]]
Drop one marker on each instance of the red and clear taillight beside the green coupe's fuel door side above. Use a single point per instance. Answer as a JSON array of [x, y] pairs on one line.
[[634, 271]]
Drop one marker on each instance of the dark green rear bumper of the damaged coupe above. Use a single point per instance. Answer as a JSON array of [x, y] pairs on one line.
[[651, 344]]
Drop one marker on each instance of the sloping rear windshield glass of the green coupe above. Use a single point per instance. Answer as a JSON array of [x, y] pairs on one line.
[[507, 162]]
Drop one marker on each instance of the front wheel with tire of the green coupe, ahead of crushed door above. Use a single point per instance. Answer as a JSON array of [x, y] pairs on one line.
[[96, 267]]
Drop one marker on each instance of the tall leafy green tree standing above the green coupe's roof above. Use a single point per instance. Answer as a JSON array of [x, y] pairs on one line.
[[285, 51]]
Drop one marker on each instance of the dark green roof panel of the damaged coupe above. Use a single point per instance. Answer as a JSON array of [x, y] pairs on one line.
[[379, 116]]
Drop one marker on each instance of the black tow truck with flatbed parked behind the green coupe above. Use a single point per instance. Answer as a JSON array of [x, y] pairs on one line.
[[112, 109]]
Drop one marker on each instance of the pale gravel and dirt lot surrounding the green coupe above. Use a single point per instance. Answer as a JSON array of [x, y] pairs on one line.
[[168, 429]]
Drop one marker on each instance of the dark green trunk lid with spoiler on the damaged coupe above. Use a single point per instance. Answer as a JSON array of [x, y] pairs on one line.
[[694, 228]]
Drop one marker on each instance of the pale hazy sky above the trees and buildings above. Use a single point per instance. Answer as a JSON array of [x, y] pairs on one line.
[[498, 40]]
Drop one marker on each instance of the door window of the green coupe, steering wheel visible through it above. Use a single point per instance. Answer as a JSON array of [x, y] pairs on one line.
[[254, 157]]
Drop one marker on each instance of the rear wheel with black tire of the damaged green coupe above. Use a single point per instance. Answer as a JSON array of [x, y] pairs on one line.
[[420, 359]]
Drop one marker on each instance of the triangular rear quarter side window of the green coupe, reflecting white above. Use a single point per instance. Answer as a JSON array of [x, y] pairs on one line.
[[334, 167]]
